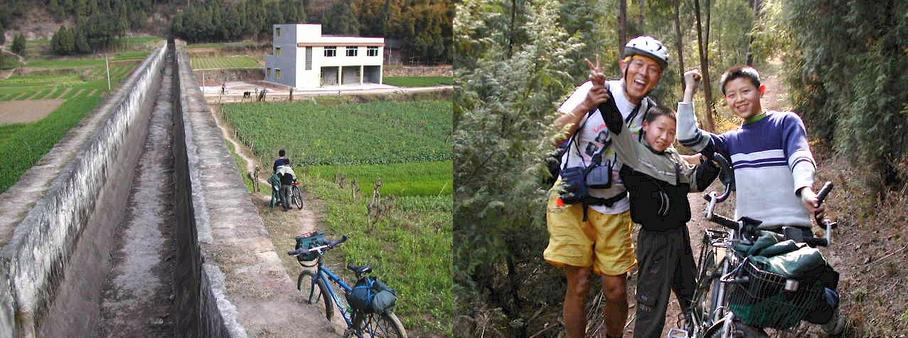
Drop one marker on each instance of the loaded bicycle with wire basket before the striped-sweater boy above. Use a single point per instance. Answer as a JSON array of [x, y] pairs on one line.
[[736, 294]]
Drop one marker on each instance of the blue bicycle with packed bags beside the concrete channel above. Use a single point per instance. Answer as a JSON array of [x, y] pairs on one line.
[[363, 320]]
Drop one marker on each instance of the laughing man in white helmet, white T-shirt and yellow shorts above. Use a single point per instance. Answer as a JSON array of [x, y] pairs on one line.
[[595, 235]]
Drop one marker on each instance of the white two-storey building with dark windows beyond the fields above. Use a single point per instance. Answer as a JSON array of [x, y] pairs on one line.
[[304, 58]]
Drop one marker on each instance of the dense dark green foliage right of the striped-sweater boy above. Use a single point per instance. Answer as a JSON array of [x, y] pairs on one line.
[[847, 77]]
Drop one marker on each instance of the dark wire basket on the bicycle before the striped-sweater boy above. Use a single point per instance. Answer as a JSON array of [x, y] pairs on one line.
[[763, 301]]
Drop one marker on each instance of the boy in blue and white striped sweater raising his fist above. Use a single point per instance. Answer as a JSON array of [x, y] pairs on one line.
[[773, 165]]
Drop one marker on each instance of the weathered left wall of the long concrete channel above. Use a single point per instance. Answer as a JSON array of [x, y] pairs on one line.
[[45, 246]]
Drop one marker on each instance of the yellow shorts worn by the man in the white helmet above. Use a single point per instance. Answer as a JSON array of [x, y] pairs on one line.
[[603, 242]]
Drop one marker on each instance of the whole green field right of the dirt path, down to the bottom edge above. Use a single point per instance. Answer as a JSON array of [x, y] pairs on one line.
[[407, 145]]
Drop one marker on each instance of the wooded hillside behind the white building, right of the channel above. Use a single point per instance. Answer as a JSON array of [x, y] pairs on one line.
[[423, 27]]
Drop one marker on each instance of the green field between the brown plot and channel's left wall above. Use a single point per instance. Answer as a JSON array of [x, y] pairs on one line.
[[21, 146]]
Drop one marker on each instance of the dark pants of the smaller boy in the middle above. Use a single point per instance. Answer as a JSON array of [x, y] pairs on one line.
[[666, 263]]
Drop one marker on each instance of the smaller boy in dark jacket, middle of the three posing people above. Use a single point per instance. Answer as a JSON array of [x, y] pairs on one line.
[[658, 180]]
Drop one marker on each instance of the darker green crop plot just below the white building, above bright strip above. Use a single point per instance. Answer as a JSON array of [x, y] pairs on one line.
[[314, 134]]
